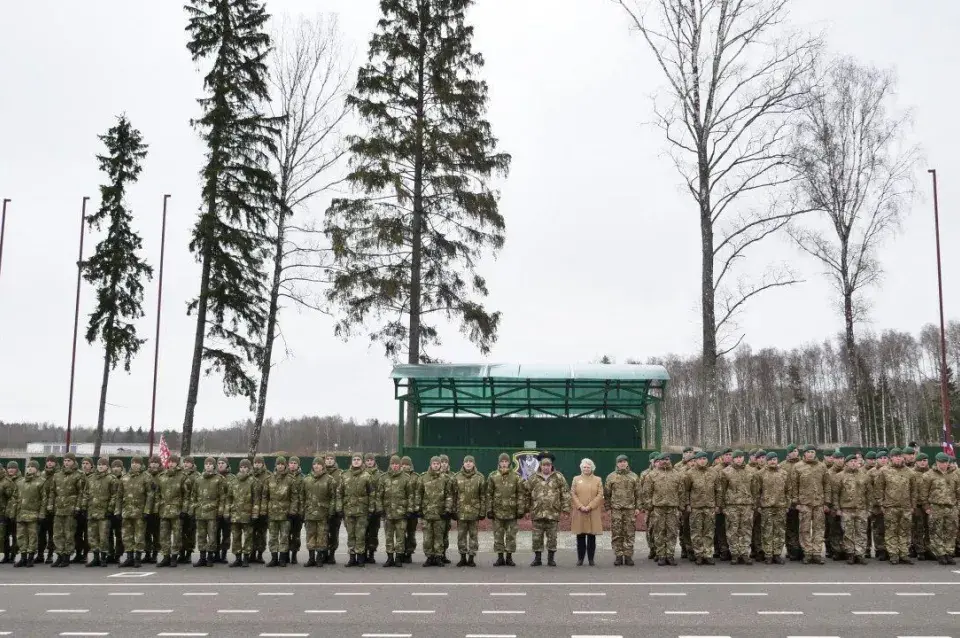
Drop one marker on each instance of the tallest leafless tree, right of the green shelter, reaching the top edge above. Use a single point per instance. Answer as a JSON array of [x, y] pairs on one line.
[[734, 73]]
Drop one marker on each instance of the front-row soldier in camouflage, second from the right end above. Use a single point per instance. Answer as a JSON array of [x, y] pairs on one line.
[[895, 490]]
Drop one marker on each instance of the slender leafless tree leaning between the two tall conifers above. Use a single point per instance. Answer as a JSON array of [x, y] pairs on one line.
[[309, 87]]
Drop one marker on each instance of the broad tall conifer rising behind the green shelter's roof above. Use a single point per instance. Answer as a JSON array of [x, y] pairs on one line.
[[406, 249]]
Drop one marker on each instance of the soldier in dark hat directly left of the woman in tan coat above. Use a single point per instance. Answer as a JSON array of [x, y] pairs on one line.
[[549, 499]]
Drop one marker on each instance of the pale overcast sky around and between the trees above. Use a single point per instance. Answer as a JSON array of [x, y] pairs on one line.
[[602, 252]]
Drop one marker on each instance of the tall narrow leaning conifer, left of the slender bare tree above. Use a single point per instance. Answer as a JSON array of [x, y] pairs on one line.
[[238, 193]]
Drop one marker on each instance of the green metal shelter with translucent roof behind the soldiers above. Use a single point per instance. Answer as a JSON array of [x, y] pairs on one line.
[[598, 410]]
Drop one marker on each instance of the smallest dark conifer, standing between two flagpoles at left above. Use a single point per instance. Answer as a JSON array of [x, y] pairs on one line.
[[116, 269]]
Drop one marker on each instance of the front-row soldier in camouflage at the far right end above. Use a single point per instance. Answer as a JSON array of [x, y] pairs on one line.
[[939, 495]]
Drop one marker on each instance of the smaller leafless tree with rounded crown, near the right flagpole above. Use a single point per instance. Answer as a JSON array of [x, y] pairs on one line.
[[855, 169]]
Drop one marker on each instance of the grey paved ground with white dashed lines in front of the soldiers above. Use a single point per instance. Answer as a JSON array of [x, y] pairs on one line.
[[756, 601]]
